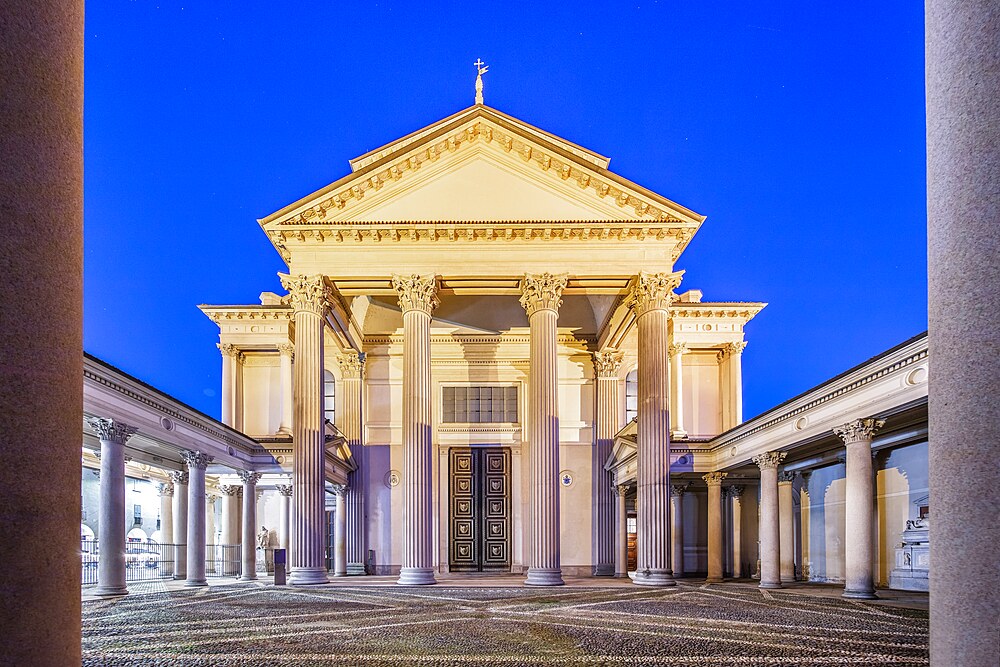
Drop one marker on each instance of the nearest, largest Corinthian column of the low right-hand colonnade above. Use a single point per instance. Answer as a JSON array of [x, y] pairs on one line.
[[859, 507]]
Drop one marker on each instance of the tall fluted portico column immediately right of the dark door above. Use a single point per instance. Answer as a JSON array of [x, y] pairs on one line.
[[540, 296]]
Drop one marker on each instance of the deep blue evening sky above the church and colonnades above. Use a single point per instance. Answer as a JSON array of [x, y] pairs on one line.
[[797, 128]]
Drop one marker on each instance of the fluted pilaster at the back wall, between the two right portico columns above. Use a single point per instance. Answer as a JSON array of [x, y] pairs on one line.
[[606, 365]]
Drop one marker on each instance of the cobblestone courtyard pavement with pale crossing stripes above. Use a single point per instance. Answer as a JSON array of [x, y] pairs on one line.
[[690, 624]]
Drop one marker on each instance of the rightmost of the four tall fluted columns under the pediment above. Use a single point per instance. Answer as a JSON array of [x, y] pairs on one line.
[[650, 301]]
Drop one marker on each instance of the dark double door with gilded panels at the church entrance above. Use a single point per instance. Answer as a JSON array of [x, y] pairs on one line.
[[479, 510]]
